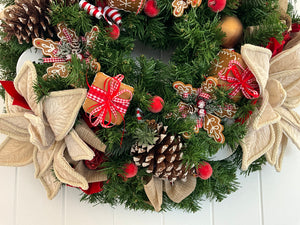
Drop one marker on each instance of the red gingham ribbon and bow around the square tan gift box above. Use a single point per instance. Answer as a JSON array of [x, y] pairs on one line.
[[108, 102]]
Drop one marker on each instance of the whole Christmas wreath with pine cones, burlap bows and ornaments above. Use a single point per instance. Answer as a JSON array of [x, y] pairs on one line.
[[139, 131]]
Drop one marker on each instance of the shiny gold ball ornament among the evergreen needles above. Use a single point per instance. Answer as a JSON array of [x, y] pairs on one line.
[[233, 29]]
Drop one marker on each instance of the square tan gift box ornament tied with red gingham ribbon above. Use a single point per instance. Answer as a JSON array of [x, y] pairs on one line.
[[107, 100]]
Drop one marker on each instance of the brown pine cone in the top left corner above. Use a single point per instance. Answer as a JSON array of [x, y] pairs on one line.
[[27, 19]]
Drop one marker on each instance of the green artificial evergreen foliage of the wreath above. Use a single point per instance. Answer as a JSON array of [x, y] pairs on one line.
[[194, 40]]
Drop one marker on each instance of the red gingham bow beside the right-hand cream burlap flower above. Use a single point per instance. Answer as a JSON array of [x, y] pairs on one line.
[[242, 80]]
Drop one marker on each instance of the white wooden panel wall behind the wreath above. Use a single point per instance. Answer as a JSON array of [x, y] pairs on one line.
[[264, 198]]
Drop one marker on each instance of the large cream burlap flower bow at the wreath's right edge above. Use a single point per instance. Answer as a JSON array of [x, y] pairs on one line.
[[275, 121]]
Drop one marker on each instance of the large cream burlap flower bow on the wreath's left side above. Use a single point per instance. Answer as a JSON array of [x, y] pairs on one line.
[[45, 134]]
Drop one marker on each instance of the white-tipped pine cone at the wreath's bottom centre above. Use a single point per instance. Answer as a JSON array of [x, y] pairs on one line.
[[164, 158]]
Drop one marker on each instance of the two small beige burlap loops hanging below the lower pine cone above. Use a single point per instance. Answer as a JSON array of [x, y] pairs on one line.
[[176, 192]]
